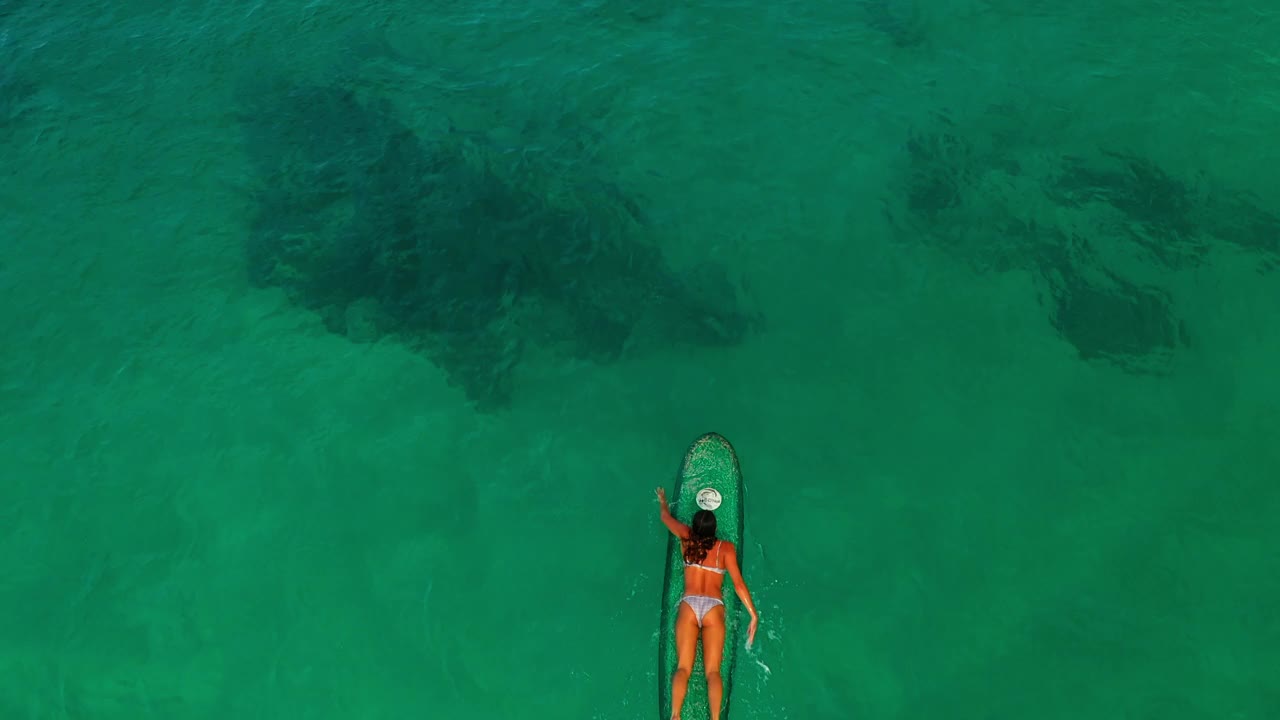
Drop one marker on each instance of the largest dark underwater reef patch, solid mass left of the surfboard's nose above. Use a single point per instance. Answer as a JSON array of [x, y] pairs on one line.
[[468, 250]]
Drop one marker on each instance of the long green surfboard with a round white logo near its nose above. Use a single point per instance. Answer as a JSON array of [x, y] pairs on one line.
[[710, 479]]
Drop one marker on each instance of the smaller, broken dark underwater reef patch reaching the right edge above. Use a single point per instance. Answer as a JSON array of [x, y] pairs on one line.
[[1100, 234]]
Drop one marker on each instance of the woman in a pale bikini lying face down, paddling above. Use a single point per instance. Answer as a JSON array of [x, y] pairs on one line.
[[702, 608]]
